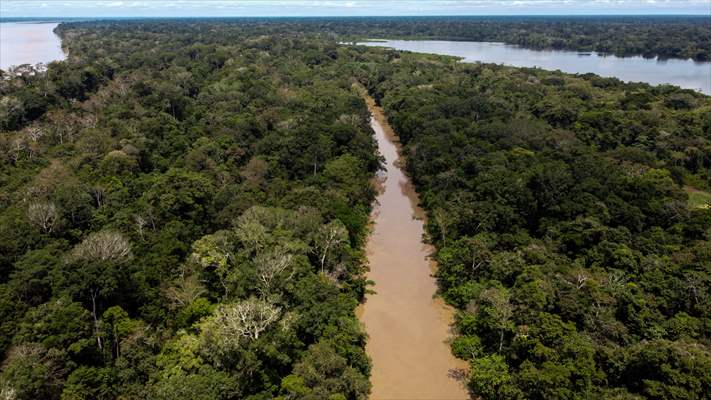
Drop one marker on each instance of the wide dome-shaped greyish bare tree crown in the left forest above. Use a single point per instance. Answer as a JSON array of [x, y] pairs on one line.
[[103, 246]]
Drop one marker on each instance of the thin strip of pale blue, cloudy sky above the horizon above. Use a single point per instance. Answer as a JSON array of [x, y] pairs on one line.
[[195, 8]]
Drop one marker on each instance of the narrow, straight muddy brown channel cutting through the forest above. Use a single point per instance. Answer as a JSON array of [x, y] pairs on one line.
[[408, 327]]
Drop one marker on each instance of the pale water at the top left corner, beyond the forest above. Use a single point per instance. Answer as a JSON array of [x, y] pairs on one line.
[[28, 43]]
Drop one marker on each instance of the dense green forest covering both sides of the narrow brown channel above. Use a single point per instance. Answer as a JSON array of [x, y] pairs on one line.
[[184, 206]]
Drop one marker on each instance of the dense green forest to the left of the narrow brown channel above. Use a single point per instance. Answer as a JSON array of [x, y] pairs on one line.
[[183, 217]]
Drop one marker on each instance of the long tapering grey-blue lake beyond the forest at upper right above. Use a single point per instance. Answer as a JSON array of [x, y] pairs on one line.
[[684, 73]]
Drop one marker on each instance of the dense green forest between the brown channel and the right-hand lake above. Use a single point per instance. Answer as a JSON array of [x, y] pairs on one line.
[[564, 235]]
